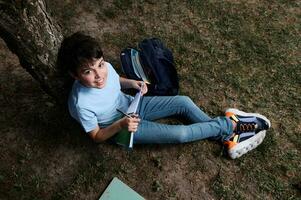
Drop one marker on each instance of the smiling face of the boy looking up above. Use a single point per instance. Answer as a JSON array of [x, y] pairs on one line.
[[93, 75]]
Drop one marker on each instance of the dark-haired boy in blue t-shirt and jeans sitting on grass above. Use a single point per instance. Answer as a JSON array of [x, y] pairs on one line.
[[96, 94]]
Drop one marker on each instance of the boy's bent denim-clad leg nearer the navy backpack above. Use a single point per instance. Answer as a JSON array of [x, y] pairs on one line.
[[152, 108]]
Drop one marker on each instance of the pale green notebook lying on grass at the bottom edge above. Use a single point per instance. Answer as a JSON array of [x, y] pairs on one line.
[[117, 190]]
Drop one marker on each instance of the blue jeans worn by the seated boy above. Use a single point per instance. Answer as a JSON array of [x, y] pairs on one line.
[[201, 125]]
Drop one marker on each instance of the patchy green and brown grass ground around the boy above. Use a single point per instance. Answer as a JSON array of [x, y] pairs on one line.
[[227, 53]]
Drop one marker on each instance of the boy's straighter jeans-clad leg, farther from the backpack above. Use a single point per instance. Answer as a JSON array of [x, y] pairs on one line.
[[152, 132]]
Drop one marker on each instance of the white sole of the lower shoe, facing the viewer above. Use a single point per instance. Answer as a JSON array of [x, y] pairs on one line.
[[243, 147]]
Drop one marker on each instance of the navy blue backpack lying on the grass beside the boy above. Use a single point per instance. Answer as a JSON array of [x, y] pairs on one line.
[[153, 63]]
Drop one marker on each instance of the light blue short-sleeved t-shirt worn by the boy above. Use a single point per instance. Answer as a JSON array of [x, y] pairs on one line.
[[92, 106]]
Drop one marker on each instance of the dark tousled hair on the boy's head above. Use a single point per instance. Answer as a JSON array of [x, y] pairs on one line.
[[78, 50]]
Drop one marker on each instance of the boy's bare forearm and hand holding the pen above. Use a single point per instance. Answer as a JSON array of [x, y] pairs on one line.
[[102, 134]]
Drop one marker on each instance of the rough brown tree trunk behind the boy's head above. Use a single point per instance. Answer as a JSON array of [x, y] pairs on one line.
[[35, 38]]
